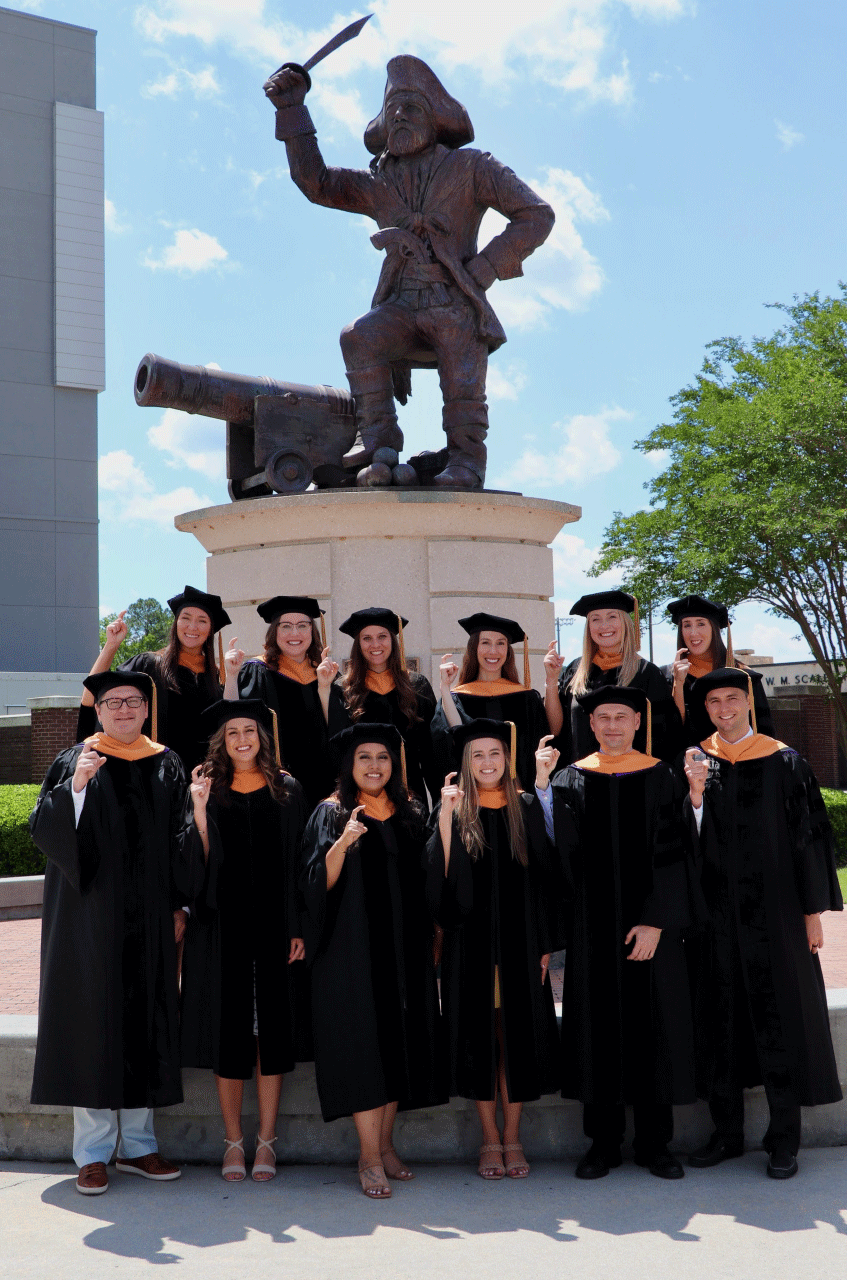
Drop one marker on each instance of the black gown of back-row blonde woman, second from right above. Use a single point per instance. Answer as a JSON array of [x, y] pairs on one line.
[[576, 739]]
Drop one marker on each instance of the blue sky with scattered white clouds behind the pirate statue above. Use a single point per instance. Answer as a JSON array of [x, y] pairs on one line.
[[694, 156]]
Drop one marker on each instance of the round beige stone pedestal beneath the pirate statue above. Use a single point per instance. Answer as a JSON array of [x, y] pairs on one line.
[[434, 557]]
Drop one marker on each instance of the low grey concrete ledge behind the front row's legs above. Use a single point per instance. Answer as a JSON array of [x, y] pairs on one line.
[[552, 1130]]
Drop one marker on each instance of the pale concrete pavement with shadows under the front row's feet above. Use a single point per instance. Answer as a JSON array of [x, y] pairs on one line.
[[312, 1223]]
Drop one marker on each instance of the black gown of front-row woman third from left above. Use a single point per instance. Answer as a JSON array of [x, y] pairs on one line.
[[369, 941]]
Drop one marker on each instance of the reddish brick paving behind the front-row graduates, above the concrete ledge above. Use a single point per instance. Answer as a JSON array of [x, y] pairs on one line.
[[20, 941]]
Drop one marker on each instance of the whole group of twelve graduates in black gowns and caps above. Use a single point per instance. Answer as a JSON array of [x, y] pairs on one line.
[[315, 852]]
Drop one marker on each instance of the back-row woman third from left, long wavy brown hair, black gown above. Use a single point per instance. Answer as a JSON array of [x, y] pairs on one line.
[[378, 688]]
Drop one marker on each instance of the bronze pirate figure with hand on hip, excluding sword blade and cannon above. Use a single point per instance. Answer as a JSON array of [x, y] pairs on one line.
[[428, 191]]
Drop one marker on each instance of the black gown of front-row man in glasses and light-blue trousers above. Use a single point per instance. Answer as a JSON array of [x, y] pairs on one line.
[[108, 1012]]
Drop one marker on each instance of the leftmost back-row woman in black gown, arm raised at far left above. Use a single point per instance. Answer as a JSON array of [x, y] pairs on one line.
[[186, 674]]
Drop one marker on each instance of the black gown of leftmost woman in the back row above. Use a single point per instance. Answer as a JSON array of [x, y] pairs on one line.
[[178, 711]]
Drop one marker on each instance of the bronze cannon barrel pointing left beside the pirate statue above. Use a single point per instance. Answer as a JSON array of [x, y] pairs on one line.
[[167, 385]]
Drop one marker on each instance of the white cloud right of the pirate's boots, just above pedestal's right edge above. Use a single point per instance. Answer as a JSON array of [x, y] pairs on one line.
[[578, 450]]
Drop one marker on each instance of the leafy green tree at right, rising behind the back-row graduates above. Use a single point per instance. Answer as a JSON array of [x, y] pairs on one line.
[[753, 502]]
